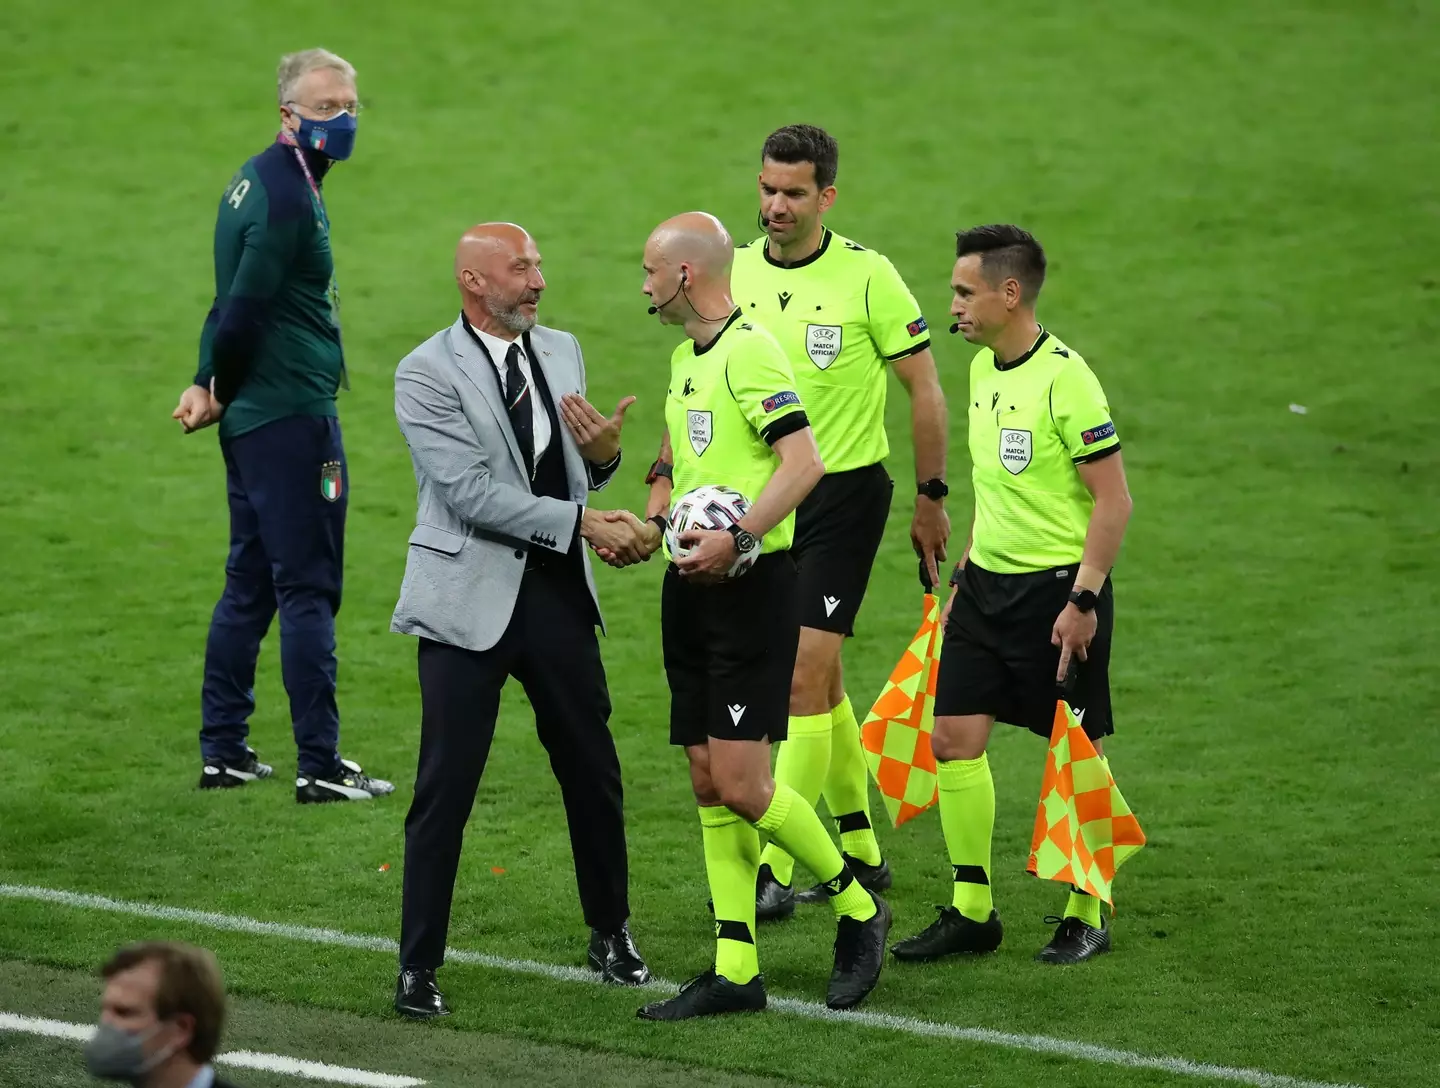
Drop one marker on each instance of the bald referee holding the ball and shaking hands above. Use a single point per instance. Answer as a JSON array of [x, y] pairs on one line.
[[731, 643]]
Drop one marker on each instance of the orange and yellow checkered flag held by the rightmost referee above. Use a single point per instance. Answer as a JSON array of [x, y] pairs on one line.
[[1084, 828]]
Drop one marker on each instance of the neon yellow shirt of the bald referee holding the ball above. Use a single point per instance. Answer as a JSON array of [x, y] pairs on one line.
[[729, 402]]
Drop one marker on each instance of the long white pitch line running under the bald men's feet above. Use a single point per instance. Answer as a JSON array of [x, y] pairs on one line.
[[811, 1011]]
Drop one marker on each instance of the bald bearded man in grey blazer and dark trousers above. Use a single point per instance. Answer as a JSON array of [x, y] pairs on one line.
[[499, 585]]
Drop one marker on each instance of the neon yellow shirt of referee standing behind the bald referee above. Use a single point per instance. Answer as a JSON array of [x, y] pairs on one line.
[[840, 314]]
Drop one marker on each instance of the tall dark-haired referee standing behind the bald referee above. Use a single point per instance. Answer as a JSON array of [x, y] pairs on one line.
[[846, 319]]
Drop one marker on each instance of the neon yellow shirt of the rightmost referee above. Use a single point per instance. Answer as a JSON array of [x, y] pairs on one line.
[[1032, 422]]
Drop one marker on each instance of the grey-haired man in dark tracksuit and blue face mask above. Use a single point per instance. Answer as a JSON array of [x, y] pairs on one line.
[[271, 365]]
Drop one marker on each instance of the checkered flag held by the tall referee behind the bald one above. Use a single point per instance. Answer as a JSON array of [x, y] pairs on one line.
[[896, 735]]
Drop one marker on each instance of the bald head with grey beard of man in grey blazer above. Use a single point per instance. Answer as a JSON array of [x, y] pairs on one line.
[[498, 267]]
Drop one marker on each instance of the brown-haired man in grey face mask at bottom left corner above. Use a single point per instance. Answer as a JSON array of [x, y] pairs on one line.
[[161, 1018]]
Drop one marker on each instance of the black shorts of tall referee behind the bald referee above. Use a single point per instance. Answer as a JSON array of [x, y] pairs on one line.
[[837, 535]]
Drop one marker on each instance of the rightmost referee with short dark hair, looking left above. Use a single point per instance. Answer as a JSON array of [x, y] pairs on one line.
[[1033, 594]]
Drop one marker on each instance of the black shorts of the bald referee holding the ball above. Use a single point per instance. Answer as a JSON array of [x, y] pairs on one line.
[[731, 651]]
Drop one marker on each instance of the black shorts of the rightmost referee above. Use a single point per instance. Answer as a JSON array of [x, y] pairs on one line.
[[997, 657]]
